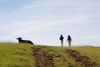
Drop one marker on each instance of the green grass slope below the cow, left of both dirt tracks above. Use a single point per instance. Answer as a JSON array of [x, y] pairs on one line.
[[16, 55]]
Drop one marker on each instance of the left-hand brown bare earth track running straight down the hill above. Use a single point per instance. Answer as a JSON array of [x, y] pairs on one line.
[[42, 59]]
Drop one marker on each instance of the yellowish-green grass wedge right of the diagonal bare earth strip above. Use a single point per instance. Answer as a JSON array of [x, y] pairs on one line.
[[92, 52]]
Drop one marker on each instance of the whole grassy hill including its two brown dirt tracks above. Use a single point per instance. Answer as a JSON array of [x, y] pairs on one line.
[[24, 55]]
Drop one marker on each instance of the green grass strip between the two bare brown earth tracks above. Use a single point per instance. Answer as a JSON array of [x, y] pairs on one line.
[[61, 59]]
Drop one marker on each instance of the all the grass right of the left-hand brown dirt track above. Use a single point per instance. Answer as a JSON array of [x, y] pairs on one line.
[[62, 59]]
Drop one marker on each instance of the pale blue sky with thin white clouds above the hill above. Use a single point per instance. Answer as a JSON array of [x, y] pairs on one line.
[[43, 21]]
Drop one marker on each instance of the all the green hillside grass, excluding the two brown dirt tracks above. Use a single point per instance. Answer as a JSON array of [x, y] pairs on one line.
[[21, 55]]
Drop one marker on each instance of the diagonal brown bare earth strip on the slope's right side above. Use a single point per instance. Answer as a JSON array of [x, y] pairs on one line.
[[83, 59]]
